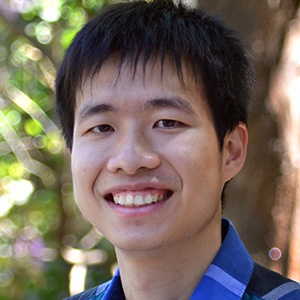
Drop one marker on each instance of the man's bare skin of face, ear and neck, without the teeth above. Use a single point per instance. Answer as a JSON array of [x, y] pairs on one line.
[[152, 135]]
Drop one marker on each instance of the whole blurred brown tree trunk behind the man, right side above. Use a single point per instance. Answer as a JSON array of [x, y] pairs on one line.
[[262, 199]]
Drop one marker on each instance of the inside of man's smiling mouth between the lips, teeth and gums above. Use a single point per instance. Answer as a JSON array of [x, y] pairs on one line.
[[138, 198]]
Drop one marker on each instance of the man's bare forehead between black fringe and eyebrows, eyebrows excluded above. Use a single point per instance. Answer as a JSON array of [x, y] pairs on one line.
[[114, 75]]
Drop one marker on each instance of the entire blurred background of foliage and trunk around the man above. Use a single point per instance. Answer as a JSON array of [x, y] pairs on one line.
[[47, 250]]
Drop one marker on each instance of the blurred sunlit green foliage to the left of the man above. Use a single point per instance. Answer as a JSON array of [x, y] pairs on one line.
[[43, 238]]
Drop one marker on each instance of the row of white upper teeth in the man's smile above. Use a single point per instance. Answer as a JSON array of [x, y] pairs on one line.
[[138, 200]]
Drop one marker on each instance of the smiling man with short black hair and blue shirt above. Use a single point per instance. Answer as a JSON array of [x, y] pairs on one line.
[[153, 99]]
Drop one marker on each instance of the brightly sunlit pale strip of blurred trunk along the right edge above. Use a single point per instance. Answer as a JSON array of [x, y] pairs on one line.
[[285, 100]]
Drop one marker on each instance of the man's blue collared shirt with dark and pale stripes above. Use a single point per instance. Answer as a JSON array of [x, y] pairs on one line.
[[232, 276]]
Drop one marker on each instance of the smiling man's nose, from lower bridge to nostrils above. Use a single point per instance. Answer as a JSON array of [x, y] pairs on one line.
[[132, 153]]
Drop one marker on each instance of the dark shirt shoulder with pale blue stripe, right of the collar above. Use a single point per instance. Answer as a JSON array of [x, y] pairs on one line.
[[268, 285]]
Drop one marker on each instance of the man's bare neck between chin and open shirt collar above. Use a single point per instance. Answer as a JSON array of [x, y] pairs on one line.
[[169, 273]]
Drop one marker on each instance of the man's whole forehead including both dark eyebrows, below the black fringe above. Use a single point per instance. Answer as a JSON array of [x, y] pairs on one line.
[[134, 88]]
